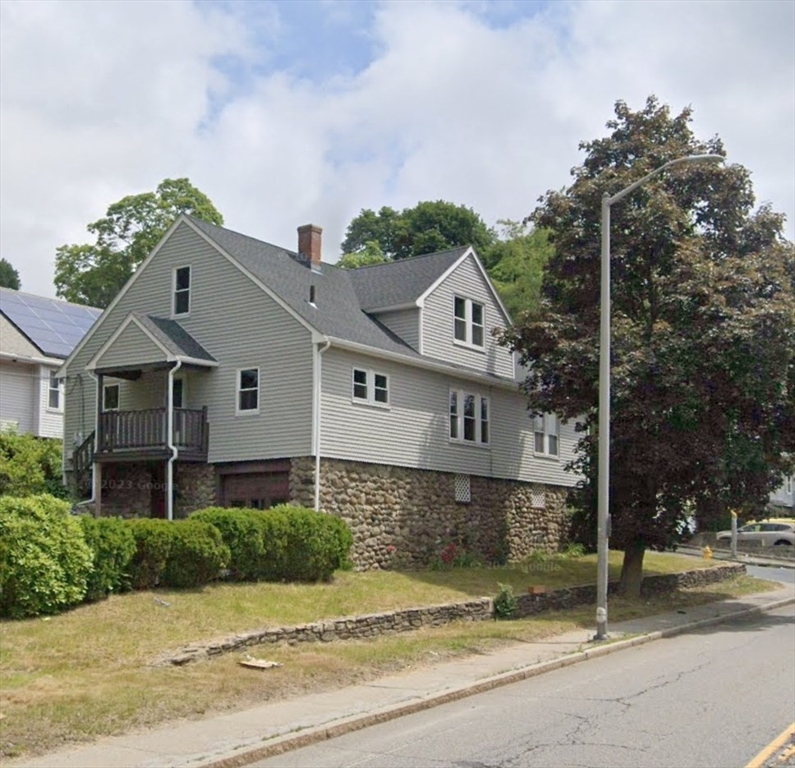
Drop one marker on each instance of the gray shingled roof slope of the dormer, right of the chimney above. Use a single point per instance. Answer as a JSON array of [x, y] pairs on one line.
[[401, 283]]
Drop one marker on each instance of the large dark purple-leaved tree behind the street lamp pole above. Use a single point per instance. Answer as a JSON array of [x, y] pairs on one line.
[[703, 363]]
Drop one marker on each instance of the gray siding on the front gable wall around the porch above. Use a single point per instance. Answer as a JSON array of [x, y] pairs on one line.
[[241, 327]]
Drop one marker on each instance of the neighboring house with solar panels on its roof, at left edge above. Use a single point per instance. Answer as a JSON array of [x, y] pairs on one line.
[[36, 336]]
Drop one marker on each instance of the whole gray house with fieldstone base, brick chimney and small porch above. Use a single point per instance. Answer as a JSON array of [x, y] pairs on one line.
[[229, 371]]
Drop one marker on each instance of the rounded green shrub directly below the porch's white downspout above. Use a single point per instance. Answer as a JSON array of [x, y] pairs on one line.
[[196, 556]]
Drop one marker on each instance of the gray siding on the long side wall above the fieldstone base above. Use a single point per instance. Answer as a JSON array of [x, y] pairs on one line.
[[414, 430]]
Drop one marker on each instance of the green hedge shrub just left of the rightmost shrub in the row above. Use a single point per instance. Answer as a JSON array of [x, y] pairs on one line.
[[241, 533]]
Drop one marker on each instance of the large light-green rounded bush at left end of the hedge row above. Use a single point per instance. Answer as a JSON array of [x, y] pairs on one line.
[[45, 562]]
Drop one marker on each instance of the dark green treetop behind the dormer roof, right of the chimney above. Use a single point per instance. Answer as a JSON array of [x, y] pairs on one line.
[[425, 228]]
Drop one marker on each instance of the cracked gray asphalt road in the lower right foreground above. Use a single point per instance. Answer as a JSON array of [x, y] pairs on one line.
[[714, 698]]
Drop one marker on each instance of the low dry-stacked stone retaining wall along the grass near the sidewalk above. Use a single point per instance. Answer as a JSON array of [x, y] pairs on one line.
[[377, 624]]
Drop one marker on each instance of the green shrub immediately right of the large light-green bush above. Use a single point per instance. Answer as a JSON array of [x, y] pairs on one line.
[[113, 545]]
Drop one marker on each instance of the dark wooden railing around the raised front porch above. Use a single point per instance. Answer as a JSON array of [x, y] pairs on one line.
[[148, 429]]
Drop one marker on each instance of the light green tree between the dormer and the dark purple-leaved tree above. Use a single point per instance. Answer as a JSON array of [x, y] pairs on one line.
[[515, 264]]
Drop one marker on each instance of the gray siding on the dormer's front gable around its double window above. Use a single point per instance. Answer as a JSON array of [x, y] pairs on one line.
[[467, 282]]
